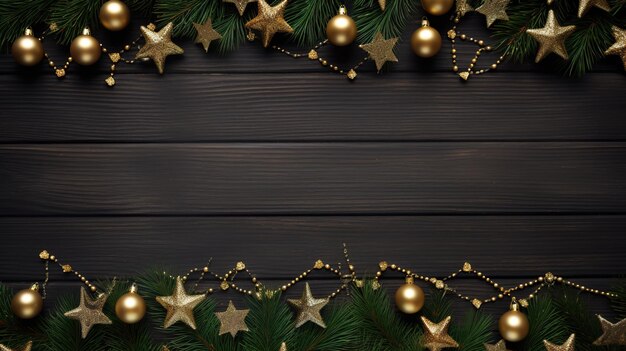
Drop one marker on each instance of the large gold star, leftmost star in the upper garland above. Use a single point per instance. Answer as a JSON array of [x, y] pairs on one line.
[[158, 46]]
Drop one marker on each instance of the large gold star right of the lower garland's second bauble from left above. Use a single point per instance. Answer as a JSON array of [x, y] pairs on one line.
[[180, 306]]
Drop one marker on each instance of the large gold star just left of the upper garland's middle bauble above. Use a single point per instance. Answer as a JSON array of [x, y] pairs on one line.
[[270, 21]]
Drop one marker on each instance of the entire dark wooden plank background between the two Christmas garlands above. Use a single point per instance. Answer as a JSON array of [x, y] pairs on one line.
[[260, 157]]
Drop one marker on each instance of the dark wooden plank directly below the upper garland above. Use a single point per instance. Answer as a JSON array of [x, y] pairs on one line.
[[312, 108]]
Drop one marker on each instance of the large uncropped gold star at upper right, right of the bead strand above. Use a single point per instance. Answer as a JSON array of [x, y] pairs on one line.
[[551, 37]]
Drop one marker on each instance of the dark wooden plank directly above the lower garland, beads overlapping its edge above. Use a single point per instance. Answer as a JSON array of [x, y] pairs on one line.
[[281, 247]]
